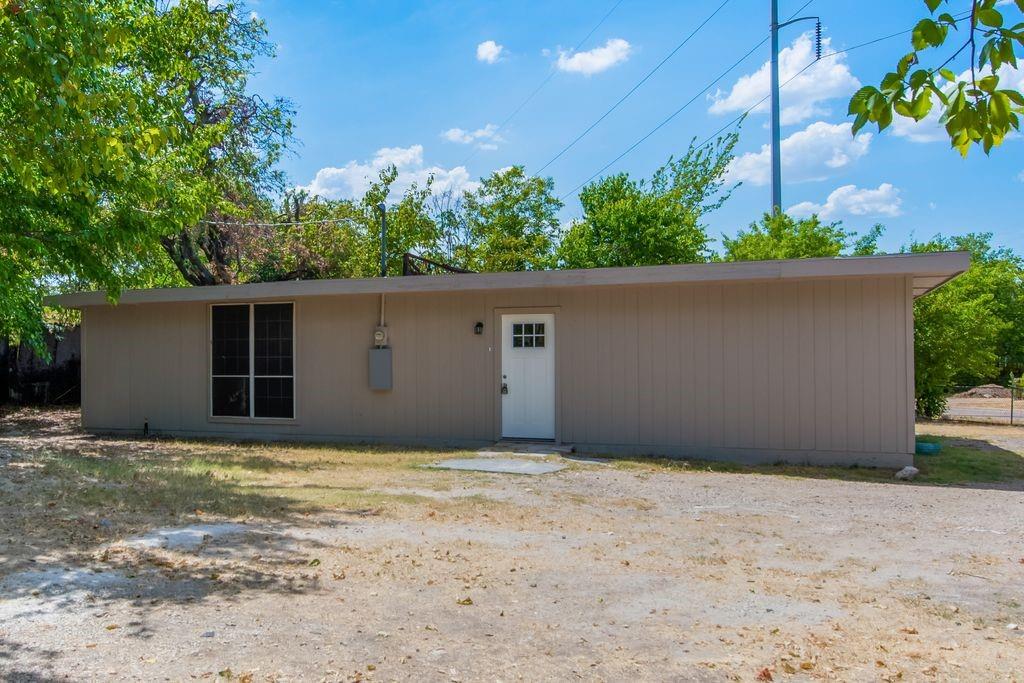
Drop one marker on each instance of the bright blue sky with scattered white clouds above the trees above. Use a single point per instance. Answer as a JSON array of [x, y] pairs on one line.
[[426, 84]]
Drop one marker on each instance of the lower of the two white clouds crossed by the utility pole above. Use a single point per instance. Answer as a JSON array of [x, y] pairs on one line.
[[813, 154]]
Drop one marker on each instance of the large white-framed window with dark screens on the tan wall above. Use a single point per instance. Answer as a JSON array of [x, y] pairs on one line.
[[252, 361]]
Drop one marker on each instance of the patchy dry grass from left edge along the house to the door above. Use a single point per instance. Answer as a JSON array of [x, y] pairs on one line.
[[75, 491]]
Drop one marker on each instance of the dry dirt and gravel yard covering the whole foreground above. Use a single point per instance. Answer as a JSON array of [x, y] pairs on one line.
[[157, 560]]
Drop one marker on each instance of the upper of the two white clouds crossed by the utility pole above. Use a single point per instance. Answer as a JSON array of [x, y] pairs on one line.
[[802, 98]]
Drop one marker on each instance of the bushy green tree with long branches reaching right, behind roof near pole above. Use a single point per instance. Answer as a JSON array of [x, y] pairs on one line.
[[630, 223]]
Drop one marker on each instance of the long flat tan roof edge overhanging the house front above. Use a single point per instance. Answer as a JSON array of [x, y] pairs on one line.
[[929, 271]]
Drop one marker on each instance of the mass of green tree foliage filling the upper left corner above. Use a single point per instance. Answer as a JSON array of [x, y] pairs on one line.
[[134, 123]]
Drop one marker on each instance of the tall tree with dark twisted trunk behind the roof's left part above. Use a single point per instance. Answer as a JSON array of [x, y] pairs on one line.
[[223, 175]]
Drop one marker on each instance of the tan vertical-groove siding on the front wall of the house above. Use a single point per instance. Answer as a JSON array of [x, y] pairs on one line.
[[810, 371]]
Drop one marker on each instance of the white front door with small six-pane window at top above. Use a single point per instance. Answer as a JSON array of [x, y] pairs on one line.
[[529, 376]]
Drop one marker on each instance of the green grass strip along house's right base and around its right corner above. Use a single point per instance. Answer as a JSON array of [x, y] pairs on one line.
[[958, 463]]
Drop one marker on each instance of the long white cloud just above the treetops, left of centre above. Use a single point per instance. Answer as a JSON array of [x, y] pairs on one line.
[[353, 180]]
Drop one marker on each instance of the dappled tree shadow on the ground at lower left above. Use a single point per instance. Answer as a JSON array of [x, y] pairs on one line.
[[66, 498]]
